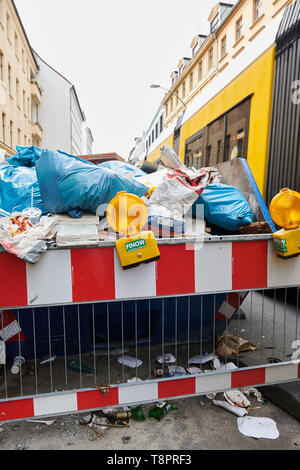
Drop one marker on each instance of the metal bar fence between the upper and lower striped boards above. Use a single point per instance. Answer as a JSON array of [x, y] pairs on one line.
[[85, 347]]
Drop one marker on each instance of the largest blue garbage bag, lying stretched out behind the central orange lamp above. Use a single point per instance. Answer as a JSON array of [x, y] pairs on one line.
[[71, 185]]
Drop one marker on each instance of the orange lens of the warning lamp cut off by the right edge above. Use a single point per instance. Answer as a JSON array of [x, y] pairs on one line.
[[285, 209]]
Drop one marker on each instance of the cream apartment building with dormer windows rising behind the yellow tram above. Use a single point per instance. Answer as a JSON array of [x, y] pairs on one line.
[[232, 28]]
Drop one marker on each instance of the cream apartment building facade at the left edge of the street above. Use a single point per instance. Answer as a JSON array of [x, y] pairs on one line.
[[20, 94]]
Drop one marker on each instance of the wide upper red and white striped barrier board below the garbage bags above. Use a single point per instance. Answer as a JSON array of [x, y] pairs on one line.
[[95, 274]]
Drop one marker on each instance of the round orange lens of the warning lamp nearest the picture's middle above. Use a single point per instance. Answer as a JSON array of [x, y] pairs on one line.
[[127, 214]]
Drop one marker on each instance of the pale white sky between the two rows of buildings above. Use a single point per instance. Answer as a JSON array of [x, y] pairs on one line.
[[112, 51]]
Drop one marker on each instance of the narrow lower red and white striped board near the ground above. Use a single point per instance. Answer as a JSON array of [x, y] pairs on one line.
[[148, 391]]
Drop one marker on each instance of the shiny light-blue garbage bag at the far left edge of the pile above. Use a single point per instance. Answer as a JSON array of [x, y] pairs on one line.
[[16, 184]]
